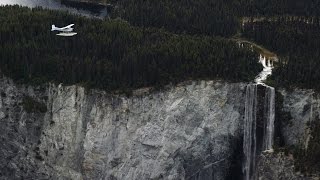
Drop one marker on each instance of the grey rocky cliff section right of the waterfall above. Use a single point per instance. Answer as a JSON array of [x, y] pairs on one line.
[[303, 107]]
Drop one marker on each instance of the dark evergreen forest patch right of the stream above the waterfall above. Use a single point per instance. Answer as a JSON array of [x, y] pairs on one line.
[[297, 41]]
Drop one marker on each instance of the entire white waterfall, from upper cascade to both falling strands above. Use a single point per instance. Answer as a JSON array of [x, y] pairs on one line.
[[257, 120]]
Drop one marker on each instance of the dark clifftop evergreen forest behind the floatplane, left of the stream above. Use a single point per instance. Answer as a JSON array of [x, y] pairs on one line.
[[112, 54]]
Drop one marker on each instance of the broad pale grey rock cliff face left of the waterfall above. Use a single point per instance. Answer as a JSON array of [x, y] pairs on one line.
[[184, 132]]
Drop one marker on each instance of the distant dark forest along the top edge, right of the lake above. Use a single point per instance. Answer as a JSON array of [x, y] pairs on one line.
[[212, 17]]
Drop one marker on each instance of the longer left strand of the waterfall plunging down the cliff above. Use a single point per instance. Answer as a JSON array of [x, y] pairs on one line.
[[249, 139]]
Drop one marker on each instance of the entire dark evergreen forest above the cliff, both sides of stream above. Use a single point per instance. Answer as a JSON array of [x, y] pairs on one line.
[[151, 43]]
